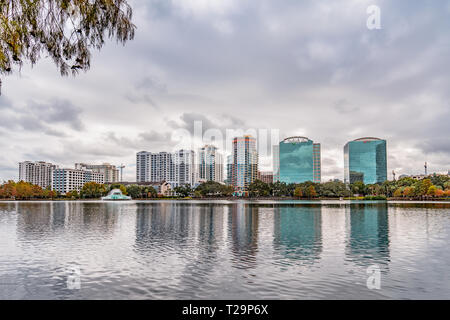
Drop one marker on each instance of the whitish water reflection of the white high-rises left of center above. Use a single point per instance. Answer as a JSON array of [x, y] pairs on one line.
[[189, 235]]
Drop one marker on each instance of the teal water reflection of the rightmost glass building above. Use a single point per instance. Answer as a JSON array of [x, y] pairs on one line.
[[368, 241]]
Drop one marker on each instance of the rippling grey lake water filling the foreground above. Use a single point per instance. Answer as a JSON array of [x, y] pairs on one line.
[[224, 250]]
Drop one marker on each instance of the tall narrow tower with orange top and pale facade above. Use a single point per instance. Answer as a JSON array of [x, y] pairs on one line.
[[245, 162]]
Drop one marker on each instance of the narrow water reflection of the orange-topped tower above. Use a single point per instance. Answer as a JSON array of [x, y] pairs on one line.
[[243, 224]]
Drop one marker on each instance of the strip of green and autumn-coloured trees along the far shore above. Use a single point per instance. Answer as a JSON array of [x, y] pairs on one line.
[[437, 187]]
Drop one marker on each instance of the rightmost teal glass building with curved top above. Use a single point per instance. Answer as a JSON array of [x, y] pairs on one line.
[[365, 160]]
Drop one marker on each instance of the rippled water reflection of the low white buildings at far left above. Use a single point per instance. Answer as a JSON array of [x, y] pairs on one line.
[[38, 219]]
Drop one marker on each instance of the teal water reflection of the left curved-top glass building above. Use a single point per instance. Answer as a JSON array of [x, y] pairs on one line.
[[298, 231]]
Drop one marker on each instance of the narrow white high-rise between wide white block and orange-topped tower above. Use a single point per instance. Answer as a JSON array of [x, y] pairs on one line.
[[210, 164]]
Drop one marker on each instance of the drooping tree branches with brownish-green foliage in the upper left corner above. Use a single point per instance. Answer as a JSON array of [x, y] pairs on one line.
[[64, 30]]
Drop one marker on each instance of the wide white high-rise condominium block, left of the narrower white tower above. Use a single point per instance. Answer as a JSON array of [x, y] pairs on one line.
[[176, 168]]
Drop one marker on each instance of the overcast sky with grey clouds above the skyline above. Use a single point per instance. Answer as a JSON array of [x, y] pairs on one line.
[[309, 68]]
